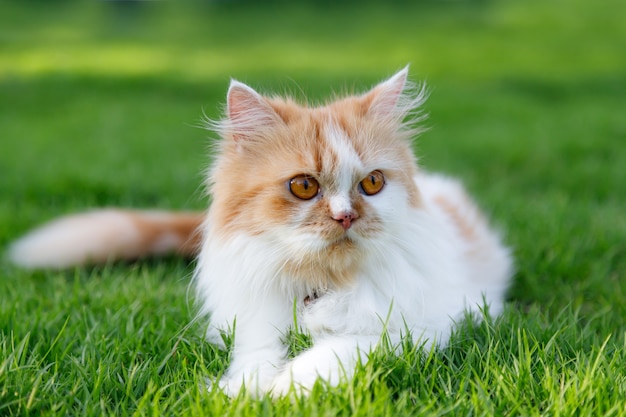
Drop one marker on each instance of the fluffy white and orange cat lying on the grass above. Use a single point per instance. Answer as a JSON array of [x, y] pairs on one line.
[[324, 207]]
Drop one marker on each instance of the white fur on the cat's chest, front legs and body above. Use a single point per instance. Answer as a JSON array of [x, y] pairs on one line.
[[417, 274]]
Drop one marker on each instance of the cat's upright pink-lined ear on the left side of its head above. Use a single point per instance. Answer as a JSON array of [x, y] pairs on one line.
[[248, 112]]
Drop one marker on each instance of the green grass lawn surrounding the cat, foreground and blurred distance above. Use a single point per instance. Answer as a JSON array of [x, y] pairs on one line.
[[98, 106]]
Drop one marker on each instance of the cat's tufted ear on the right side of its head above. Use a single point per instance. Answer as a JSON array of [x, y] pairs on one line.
[[395, 97]]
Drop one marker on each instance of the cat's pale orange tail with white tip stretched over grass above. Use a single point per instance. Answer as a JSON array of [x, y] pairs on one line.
[[107, 235]]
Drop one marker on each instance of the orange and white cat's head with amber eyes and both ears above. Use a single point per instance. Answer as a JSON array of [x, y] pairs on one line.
[[323, 182]]
